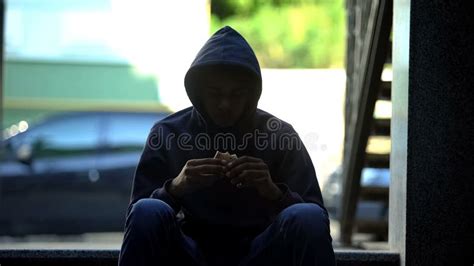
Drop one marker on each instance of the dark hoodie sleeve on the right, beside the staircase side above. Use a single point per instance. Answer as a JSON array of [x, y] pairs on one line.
[[297, 178]]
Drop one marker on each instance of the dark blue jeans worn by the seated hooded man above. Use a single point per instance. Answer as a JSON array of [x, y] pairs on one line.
[[298, 236]]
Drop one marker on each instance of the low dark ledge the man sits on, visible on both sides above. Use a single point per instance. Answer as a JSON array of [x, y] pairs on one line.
[[109, 257]]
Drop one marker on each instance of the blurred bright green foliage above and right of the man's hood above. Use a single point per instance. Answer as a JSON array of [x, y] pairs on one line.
[[287, 33]]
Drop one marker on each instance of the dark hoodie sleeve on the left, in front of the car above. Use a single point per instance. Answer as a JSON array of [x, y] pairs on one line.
[[152, 177]]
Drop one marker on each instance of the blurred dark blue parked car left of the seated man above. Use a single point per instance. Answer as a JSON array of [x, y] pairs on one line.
[[71, 173]]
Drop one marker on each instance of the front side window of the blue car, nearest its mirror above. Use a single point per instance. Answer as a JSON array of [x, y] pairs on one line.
[[63, 135]]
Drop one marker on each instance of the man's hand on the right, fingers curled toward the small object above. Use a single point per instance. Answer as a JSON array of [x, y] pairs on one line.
[[249, 171]]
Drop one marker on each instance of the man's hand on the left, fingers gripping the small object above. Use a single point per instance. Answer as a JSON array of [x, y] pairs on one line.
[[197, 173]]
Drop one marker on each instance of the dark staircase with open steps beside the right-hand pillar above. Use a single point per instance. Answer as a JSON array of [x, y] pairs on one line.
[[369, 49]]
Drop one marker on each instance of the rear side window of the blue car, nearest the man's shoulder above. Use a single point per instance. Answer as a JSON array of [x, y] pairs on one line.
[[128, 132]]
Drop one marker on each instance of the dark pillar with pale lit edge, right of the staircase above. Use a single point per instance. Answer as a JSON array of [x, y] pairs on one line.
[[432, 157]]
